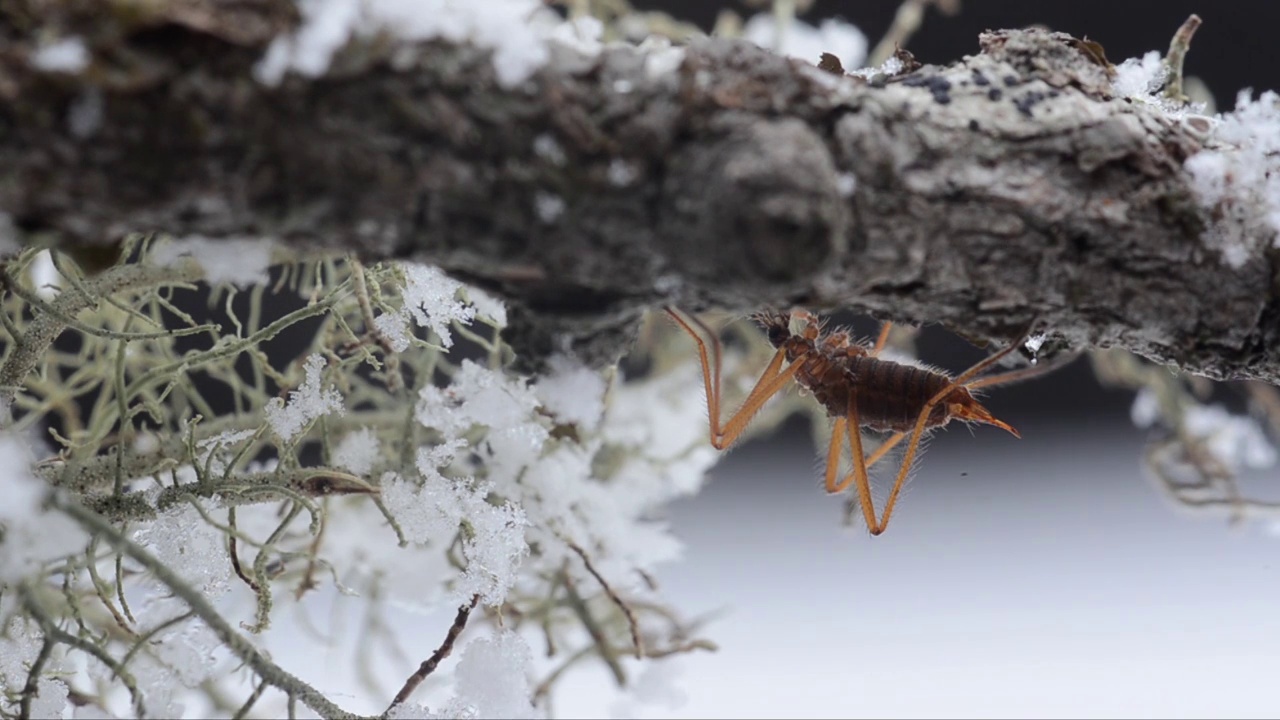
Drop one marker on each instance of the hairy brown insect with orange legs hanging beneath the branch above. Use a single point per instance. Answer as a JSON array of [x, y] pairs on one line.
[[858, 389]]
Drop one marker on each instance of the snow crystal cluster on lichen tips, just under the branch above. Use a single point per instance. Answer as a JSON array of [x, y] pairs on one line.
[[432, 302]]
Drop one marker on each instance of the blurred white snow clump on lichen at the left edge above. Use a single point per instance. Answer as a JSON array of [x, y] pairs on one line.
[[30, 536]]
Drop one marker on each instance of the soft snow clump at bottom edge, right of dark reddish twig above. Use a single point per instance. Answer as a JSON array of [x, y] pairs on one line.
[[492, 680]]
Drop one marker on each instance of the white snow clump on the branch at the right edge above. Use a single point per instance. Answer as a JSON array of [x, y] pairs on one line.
[[1237, 180]]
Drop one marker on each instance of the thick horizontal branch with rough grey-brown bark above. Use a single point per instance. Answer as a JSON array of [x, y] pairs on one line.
[[1007, 188]]
